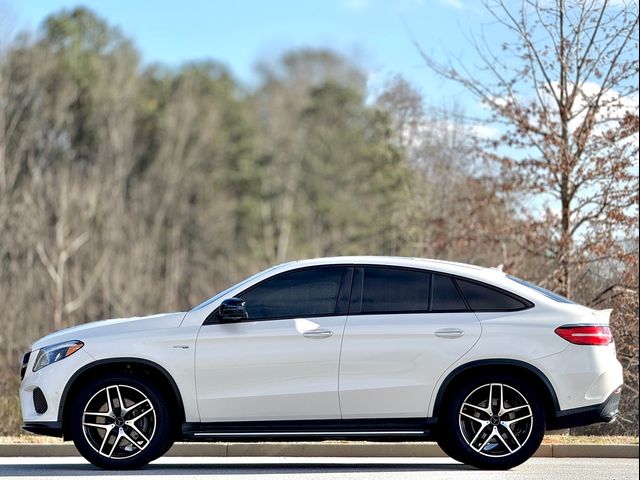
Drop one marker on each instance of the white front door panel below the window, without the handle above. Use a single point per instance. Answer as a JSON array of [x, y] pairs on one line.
[[269, 370]]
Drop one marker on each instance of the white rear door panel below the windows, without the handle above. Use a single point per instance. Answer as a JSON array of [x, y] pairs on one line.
[[391, 363]]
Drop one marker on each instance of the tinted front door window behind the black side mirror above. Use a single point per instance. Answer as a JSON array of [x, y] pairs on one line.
[[303, 293]]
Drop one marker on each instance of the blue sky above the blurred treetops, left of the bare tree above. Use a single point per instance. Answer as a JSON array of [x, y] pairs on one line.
[[377, 33]]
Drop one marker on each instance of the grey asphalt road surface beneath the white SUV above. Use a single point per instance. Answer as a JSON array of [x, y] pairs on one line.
[[324, 468]]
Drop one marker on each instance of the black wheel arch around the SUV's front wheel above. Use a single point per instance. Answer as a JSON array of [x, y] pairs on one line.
[[159, 375]]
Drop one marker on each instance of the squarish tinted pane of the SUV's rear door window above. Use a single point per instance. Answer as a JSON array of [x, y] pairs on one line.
[[394, 290]]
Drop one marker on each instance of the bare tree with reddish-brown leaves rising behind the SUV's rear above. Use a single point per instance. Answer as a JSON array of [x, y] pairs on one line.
[[564, 92]]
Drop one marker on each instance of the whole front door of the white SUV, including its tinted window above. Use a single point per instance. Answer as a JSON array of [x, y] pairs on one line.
[[281, 363]]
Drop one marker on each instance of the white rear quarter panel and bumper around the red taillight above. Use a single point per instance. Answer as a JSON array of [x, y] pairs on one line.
[[528, 336]]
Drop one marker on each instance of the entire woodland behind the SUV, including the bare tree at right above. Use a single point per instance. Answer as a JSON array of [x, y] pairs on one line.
[[128, 189]]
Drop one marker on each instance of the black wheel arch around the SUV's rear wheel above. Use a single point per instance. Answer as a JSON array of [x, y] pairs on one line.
[[508, 366]]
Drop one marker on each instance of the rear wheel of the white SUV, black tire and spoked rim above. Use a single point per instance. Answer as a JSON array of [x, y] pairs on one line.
[[494, 447]]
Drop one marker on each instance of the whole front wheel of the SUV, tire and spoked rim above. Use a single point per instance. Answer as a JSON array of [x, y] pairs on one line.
[[149, 437]]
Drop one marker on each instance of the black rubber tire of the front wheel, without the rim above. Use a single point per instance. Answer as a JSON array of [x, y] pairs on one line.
[[162, 433]]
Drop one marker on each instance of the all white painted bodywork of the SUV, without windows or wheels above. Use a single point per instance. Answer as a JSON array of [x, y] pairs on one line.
[[392, 366]]
